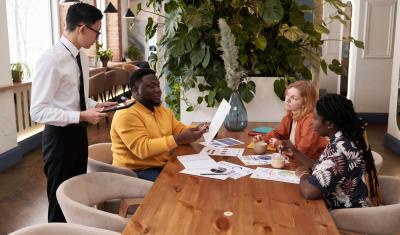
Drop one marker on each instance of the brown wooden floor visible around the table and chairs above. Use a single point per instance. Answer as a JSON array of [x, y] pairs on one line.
[[23, 199]]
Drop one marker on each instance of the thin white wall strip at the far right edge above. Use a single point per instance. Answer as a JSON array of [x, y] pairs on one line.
[[393, 128]]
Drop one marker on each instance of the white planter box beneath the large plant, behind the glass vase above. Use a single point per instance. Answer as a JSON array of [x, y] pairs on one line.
[[265, 107]]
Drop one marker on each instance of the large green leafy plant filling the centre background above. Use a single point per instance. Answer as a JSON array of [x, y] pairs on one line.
[[273, 38]]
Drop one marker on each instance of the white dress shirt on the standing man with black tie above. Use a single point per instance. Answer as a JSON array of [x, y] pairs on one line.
[[55, 86]]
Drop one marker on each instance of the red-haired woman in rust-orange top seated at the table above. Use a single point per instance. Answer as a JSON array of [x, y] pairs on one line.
[[296, 125]]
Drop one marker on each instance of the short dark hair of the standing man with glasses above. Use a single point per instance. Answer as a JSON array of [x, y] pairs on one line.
[[82, 13]]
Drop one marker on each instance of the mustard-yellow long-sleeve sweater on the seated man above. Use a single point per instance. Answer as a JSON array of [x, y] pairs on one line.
[[142, 138]]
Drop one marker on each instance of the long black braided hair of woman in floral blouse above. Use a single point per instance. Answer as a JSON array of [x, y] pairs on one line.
[[339, 111]]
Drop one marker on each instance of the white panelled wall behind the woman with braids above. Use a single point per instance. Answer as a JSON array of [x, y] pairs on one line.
[[370, 70]]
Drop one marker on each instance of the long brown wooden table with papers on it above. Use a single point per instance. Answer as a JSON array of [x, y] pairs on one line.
[[185, 204]]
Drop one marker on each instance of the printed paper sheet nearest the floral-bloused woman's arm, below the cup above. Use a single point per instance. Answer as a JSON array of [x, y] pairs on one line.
[[275, 175]]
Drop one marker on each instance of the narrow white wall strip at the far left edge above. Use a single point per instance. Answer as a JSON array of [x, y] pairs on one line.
[[8, 132]]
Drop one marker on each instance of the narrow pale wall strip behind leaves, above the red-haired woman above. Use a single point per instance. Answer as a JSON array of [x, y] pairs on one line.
[[330, 51]]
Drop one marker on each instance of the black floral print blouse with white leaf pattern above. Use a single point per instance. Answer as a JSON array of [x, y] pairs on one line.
[[338, 174]]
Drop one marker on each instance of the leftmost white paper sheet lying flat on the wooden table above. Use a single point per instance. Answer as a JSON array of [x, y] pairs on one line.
[[197, 161]]
